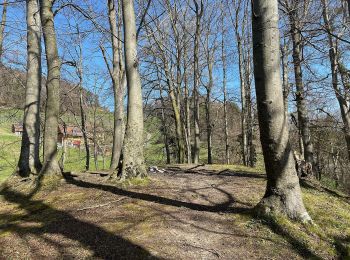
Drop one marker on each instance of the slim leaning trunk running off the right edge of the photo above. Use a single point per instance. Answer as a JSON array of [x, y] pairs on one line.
[[334, 60]]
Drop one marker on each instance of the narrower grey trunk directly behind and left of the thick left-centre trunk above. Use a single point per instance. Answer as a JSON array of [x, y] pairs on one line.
[[118, 86]]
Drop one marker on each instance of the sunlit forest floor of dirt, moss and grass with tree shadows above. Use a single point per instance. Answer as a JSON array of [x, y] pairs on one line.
[[203, 213]]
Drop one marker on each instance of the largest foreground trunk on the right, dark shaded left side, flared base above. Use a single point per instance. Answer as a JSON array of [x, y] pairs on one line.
[[283, 194]]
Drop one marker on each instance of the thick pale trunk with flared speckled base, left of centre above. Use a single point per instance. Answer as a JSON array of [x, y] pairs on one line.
[[133, 156]]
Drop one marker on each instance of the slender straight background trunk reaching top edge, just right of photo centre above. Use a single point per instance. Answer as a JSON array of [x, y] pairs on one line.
[[199, 13]]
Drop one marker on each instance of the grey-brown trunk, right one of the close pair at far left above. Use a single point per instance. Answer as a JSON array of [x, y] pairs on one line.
[[51, 166]]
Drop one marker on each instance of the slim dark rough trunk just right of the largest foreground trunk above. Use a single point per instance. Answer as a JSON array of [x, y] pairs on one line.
[[303, 119]]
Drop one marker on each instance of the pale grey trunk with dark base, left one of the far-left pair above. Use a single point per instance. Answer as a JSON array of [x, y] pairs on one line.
[[29, 161]]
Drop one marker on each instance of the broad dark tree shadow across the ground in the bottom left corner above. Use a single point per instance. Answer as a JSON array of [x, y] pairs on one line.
[[103, 244]]
